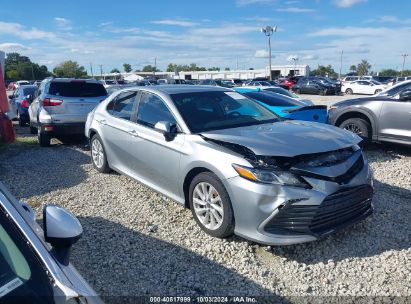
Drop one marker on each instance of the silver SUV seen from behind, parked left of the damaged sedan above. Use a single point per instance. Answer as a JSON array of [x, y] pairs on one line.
[[61, 105]]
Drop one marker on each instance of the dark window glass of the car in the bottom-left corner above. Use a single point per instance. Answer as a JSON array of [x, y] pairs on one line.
[[21, 272]]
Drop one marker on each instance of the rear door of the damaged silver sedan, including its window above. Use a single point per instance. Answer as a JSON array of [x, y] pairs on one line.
[[118, 129]]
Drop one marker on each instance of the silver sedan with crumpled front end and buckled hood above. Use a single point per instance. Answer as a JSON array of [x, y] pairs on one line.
[[236, 165]]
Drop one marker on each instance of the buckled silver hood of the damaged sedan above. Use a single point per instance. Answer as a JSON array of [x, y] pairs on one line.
[[287, 138]]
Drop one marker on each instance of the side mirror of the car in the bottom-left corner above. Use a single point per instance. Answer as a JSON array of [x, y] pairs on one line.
[[61, 229]]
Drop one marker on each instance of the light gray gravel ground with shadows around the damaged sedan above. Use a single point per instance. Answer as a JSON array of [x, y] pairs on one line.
[[137, 242]]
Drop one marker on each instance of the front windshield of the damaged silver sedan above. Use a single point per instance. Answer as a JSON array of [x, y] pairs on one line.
[[205, 111]]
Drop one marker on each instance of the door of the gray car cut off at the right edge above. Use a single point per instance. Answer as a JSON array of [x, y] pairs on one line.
[[395, 120]]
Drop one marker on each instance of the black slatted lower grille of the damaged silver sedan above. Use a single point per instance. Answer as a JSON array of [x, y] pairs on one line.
[[337, 210]]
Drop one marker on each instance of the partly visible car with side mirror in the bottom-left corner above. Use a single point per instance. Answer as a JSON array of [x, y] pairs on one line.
[[34, 265]]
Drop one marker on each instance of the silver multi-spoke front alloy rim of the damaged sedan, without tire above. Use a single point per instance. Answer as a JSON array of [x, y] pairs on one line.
[[208, 206]]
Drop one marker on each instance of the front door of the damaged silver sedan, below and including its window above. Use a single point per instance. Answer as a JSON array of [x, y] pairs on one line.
[[157, 160]]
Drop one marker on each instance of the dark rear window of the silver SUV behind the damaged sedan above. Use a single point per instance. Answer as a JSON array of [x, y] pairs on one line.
[[77, 89]]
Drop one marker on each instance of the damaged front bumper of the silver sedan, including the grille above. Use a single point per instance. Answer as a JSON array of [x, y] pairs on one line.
[[283, 215]]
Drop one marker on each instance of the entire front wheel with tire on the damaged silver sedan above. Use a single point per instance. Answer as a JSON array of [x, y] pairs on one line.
[[211, 205]]
